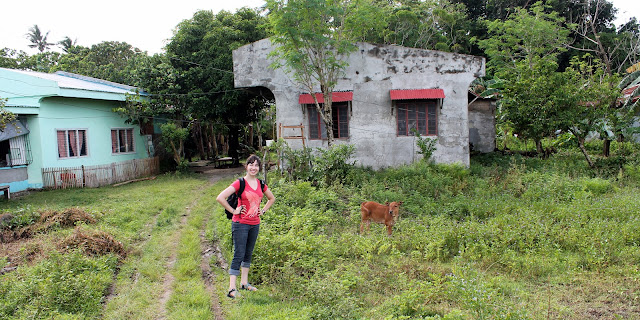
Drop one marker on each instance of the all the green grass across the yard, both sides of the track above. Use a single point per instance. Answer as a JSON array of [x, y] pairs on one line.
[[508, 238]]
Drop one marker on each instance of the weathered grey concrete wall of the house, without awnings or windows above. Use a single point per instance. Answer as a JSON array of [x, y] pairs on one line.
[[372, 72]]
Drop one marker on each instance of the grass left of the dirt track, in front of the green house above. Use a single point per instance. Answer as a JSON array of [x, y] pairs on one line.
[[143, 216]]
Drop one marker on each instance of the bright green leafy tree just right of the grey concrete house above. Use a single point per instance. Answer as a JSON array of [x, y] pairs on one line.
[[523, 51]]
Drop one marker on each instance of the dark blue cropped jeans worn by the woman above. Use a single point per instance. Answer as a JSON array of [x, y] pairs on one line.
[[244, 240]]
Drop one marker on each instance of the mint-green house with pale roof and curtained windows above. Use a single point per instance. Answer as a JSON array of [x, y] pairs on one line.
[[65, 130]]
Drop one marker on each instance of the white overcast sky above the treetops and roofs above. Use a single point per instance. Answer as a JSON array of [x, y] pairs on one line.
[[144, 24]]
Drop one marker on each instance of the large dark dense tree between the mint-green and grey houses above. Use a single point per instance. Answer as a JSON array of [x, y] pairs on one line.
[[193, 82]]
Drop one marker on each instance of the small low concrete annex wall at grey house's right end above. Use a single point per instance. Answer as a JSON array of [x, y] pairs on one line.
[[482, 125]]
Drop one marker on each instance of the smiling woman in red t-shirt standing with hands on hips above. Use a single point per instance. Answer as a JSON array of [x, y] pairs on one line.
[[245, 223]]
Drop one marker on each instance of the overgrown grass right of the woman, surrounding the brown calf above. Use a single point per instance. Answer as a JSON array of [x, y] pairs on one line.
[[508, 238]]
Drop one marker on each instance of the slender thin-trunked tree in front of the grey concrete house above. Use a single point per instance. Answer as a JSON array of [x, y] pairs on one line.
[[312, 39]]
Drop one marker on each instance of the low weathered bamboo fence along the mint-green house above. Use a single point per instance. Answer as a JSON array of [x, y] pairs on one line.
[[100, 175]]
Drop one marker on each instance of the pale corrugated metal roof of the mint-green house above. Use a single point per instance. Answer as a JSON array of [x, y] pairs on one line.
[[75, 81]]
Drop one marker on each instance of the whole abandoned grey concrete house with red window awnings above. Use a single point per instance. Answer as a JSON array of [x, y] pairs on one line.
[[385, 92]]
